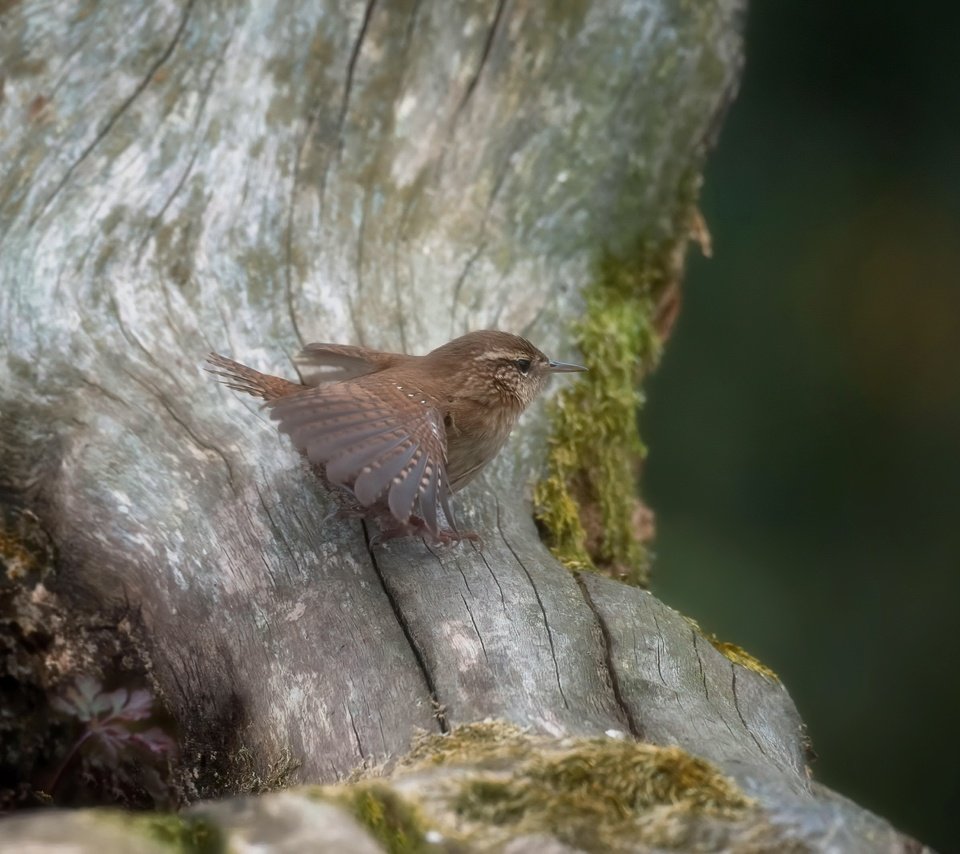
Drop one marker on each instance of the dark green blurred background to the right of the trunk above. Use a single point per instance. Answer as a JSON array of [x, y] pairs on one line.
[[804, 425]]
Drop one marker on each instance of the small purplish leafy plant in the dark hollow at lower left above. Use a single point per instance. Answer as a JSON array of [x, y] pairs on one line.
[[110, 720]]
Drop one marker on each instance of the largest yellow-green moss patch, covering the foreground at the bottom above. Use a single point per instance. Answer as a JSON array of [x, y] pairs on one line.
[[499, 782]]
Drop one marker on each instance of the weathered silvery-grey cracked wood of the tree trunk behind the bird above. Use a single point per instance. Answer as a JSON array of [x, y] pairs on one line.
[[183, 177]]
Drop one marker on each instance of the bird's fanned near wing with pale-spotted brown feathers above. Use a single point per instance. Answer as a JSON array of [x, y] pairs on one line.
[[376, 441]]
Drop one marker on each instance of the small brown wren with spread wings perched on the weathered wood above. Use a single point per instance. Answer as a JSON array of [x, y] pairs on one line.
[[397, 430]]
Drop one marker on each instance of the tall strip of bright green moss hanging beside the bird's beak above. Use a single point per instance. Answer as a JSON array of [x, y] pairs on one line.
[[587, 502]]
